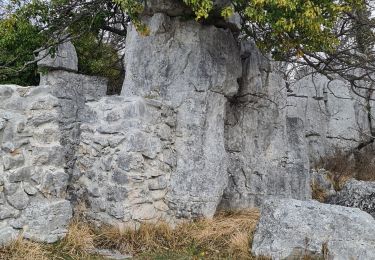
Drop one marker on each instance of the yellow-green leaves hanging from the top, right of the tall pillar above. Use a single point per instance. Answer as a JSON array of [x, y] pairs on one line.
[[285, 27]]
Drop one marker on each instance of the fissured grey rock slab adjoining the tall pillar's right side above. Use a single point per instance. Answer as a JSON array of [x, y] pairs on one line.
[[266, 148]]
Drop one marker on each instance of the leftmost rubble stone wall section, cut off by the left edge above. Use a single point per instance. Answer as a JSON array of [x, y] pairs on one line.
[[33, 182]]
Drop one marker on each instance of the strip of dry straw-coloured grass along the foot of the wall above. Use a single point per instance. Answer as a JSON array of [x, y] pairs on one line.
[[227, 236]]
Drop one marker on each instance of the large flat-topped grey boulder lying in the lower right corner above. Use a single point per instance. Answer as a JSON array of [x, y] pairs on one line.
[[291, 228]]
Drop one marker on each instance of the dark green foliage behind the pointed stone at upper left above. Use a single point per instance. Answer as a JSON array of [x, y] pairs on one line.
[[28, 26]]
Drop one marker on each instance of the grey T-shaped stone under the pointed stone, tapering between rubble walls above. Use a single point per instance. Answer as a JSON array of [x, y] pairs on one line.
[[73, 91]]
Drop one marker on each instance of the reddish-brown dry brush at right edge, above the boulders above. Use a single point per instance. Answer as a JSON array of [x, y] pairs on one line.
[[343, 166]]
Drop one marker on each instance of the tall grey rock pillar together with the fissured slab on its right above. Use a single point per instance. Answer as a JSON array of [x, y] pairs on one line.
[[248, 141]]
